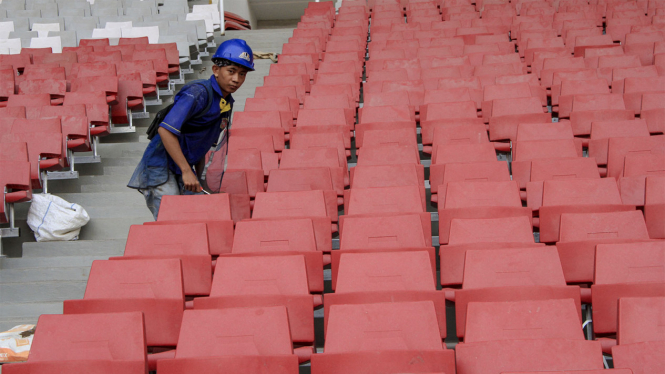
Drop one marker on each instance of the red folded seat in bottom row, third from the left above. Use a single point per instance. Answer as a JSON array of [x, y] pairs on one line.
[[351, 343]]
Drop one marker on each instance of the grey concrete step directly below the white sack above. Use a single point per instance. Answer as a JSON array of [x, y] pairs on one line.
[[74, 248]]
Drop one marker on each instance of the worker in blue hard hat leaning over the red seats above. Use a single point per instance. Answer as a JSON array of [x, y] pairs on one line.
[[173, 162]]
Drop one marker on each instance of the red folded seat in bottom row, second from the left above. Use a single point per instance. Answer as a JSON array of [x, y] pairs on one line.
[[264, 332]]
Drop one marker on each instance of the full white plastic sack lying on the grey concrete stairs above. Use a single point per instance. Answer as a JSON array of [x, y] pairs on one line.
[[52, 218]]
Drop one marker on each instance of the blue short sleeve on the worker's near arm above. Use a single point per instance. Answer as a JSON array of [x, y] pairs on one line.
[[189, 101]]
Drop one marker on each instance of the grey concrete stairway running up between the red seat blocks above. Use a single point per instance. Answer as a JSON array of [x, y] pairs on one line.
[[48, 273]]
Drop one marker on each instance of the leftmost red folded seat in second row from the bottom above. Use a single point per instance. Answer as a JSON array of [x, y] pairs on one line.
[[153, 287]]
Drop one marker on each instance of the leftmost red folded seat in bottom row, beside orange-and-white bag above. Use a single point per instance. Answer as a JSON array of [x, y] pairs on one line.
[[114, 343]]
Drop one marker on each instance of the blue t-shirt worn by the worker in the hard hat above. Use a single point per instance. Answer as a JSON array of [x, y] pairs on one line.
[[202, 133]]
